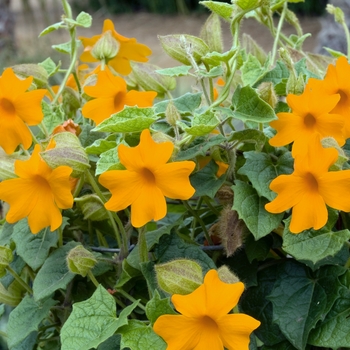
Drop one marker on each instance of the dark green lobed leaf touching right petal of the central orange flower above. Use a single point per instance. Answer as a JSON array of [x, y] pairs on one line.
[[205, 181]]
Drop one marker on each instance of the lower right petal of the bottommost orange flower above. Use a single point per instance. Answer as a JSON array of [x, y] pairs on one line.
[[235, 330]]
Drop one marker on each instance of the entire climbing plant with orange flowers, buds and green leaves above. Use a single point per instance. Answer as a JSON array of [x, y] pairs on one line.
[[139, 218]]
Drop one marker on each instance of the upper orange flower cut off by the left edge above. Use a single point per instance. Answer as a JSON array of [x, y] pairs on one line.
[[18, 109]]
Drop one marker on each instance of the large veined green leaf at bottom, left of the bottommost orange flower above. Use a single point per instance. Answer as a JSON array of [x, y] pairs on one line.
[[93, 321]]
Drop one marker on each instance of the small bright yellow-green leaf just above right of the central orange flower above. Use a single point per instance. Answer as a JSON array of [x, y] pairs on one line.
[[202, 124]]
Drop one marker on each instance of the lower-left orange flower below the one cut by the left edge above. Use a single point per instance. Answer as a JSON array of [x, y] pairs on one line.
[[38, 193]]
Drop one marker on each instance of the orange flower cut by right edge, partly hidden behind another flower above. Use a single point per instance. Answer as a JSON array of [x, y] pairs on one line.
[[337, 81]]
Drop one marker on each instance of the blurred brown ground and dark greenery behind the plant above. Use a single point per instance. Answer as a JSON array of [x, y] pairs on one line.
[[21, 21]]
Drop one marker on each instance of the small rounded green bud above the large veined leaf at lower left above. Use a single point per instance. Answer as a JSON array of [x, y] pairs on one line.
[[80, 260]]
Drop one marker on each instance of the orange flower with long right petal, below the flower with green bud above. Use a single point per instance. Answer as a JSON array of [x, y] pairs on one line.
[[111, 96]]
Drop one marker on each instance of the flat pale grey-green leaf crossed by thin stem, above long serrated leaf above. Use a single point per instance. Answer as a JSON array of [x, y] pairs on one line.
[[185, 104]]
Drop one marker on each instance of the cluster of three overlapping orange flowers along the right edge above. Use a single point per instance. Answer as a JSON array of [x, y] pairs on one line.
[[321, 111]]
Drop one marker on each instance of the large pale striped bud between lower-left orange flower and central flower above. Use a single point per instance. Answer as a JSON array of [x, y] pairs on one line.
[[68, 151]]
